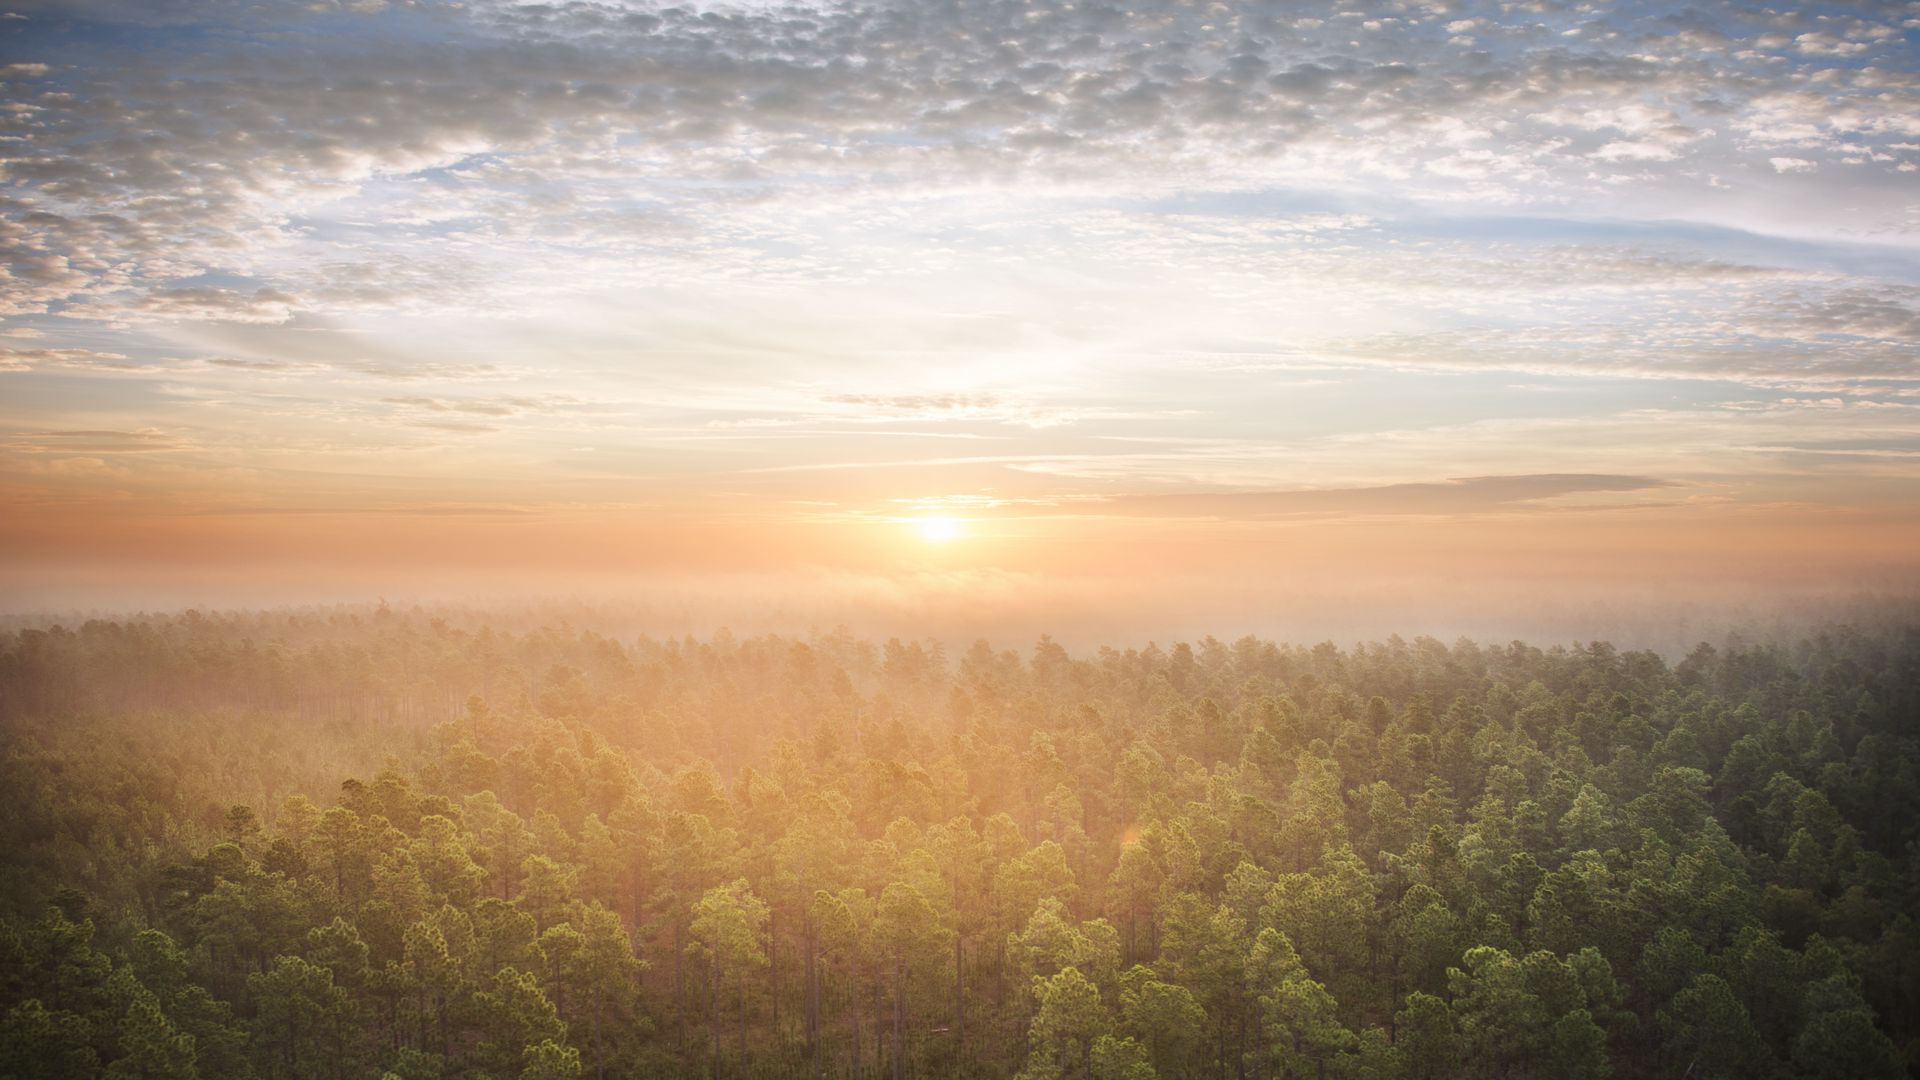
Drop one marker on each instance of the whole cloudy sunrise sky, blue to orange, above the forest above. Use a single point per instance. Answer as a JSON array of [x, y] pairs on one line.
[[1080, 310]]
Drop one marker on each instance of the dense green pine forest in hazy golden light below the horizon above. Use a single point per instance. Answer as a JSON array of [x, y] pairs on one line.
[[414, 845]]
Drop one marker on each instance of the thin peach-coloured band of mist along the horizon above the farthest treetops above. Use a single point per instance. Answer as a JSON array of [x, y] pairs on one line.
[[1013, 610]]
